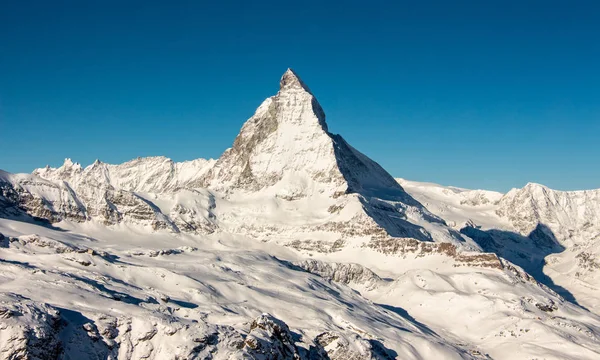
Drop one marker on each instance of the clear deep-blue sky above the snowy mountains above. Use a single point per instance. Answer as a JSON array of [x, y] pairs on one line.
[[480, 94]]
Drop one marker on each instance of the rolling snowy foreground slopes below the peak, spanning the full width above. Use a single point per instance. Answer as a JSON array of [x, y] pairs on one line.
[[114, 293]]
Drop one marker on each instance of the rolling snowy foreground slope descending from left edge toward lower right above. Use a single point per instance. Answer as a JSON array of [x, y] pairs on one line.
[[110, 293]]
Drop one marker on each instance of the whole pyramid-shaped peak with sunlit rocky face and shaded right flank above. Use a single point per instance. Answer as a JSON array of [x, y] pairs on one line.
[[286, 152]]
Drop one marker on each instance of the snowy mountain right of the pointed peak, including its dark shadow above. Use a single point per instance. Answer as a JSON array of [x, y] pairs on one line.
[[553, 234]]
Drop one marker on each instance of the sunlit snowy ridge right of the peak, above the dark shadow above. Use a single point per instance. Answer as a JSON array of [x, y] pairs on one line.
[[565, 212]]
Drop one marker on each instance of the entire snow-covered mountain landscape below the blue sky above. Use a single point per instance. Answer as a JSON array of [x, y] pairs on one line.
[[291, 245]]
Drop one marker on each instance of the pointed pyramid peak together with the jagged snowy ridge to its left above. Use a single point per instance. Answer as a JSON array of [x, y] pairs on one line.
[[284, 158]]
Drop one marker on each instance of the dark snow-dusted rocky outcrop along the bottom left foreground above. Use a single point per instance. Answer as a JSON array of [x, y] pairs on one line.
[[37, 331]]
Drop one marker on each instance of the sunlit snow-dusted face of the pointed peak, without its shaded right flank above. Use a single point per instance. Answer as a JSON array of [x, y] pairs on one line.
[[287, 136]]
